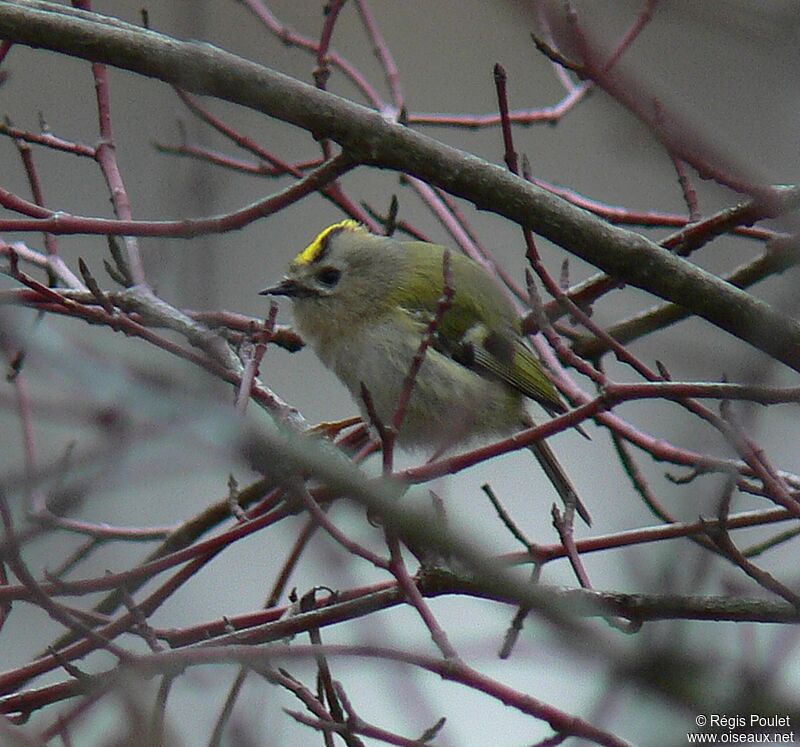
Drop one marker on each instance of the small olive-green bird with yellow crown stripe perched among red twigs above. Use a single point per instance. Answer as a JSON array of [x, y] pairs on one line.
[[364, 302]]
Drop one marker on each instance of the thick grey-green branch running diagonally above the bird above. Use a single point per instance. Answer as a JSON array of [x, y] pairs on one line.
[[369, 138]]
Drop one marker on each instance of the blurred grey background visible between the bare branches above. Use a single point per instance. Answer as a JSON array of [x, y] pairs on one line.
[[730, 68]]
